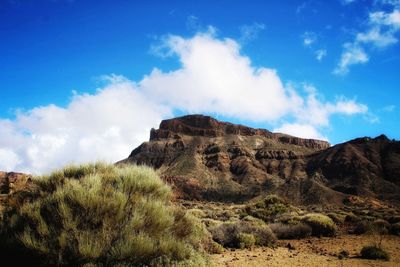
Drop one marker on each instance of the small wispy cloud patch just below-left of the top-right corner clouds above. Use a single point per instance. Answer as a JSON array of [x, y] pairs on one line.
[[352, 54]]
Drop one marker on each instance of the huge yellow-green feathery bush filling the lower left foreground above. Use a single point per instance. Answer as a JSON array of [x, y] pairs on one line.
[[102, 215]]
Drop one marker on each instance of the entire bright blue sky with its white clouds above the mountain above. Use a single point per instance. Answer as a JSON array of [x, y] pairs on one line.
[[78, 76]]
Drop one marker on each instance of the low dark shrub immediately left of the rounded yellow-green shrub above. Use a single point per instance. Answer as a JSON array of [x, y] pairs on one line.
[[291, 231]]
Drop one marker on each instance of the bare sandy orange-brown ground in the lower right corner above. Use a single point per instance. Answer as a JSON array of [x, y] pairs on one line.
[[312, 252]]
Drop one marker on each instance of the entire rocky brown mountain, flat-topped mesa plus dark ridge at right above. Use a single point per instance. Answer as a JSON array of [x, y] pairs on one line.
[[206, 159]]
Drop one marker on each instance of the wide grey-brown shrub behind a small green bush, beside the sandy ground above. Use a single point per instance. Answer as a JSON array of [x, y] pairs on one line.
[[226, 234]]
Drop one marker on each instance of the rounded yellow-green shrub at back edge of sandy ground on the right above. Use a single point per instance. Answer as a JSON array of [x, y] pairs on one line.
[[320, 224]]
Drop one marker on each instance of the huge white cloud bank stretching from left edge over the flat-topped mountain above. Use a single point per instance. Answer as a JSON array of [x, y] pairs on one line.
[[214, 77]]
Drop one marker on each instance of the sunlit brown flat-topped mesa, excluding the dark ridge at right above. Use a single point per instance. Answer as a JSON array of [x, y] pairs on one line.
[[204, 158]]
